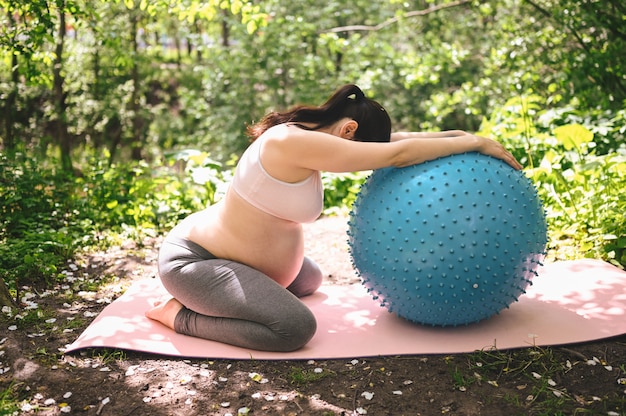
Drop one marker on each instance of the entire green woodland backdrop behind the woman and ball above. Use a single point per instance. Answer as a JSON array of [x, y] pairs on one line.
[[144, 81]]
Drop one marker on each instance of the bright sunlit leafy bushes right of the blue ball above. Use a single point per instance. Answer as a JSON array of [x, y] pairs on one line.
[[579, 175]]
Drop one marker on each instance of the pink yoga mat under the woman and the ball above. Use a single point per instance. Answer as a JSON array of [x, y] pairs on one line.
[[569, 302]]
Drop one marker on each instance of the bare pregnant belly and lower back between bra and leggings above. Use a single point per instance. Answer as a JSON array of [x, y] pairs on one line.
[[232, 229]]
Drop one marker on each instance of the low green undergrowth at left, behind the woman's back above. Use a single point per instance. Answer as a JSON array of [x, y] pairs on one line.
[[46, 218]]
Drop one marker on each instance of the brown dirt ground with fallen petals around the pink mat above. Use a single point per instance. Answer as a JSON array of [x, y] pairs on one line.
[[34, 372]]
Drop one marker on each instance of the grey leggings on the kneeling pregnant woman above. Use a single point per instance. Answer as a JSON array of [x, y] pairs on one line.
[[232, 303]]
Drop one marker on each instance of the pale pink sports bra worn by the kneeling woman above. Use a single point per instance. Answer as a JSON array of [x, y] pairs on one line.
[[299, 202]]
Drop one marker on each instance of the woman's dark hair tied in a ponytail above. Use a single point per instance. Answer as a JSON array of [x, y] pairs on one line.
[[348, 101]]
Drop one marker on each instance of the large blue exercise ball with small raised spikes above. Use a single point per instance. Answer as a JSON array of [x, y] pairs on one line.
[[448, 242]]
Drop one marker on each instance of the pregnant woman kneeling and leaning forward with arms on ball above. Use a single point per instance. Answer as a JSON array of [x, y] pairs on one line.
[[237, 269]]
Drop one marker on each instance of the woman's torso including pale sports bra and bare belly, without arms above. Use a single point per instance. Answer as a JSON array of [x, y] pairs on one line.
[[250, 227]]
